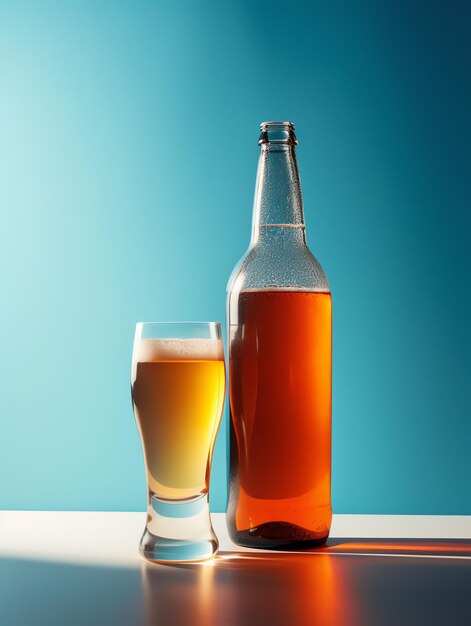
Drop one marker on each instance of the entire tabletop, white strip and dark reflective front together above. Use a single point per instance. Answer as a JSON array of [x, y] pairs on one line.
[[71, 568]]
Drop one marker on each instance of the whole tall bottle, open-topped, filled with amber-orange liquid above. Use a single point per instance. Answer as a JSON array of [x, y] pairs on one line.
[[280, 363]]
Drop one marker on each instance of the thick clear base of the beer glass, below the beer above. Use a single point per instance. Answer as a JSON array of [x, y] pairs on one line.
[[179, 531]]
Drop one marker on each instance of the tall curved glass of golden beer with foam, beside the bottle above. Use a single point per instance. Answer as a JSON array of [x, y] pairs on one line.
[[177, 387]]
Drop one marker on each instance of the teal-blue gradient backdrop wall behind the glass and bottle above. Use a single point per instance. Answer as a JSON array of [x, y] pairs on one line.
[[128, 152]]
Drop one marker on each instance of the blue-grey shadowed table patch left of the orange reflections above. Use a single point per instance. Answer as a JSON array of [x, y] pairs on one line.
[[46, 593]]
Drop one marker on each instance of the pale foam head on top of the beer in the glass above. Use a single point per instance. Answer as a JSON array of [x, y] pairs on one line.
[[149, 350]]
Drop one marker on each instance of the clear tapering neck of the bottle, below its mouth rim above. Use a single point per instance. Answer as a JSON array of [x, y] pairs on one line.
[[278, 204]]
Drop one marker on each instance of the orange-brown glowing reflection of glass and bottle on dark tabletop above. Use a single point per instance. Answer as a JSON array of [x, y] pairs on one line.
[[249, 589]]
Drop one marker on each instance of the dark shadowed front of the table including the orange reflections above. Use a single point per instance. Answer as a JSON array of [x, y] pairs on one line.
[[348, 583]]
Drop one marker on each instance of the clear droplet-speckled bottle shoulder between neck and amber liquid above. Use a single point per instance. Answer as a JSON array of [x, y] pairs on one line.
[[269, 267]]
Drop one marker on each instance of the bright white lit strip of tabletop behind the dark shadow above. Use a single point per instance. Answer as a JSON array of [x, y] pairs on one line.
[[110, 538]]
